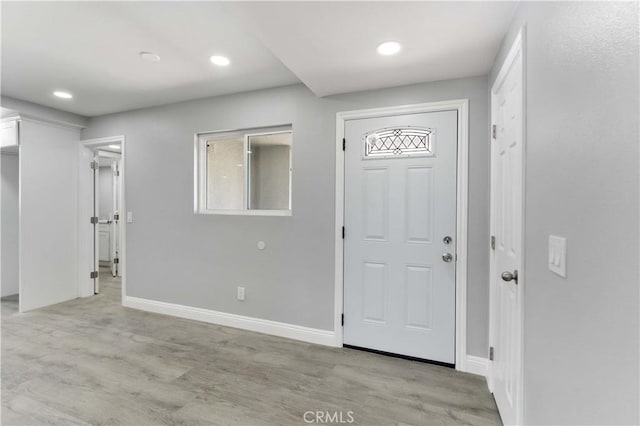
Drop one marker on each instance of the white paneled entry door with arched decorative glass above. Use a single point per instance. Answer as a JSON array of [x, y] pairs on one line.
[[400, 233]]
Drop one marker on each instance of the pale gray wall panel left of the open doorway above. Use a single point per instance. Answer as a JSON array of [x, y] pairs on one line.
[[49, 166]]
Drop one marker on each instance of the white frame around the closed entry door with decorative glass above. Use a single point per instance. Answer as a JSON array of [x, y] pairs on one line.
[[462, 107]]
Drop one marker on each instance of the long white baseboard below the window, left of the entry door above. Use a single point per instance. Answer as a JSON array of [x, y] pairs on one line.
[[291, 331]]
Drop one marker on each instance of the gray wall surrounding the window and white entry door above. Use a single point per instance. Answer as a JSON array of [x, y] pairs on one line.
[[292, 280]]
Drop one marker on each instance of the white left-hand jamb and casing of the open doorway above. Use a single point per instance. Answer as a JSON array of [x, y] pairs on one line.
[[88, 238]]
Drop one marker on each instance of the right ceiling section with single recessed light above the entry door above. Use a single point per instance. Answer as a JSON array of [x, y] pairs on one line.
[[334, 47]]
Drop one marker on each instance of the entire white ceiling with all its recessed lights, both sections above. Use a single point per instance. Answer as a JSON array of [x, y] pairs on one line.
[[91, 49]]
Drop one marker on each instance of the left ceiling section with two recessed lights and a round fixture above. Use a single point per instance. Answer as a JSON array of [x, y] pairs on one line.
[[91, 49]]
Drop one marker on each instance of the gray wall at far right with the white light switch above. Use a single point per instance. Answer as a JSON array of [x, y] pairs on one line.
[[581, 333]]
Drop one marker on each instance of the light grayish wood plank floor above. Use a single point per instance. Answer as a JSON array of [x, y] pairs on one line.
[[91, 361]]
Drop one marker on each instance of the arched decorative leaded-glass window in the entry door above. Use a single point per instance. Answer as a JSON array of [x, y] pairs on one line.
[[398, 142]]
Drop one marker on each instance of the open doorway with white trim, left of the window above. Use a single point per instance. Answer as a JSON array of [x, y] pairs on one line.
[[101, 205]]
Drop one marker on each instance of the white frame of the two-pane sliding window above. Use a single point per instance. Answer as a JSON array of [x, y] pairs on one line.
[[201, 169]]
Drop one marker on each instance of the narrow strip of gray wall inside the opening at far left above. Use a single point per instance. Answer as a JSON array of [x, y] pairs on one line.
[[9, 230]]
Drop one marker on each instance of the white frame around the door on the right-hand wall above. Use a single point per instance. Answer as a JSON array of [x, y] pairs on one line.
[[517, 48]]
